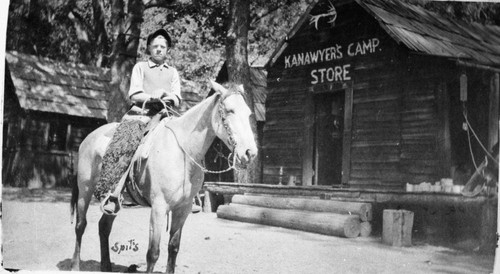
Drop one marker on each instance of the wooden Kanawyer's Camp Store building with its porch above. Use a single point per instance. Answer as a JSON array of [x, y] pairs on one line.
[[368, 99]]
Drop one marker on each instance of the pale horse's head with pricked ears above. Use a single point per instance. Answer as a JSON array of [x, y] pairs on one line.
[[231, 122]]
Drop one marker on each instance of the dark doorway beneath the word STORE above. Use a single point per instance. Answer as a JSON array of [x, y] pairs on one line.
[[328, 137]]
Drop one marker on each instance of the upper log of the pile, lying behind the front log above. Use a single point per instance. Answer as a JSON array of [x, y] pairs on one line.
[[363, 210]]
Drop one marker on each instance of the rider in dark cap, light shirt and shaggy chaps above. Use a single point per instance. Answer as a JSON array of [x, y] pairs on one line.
[[154, 86]]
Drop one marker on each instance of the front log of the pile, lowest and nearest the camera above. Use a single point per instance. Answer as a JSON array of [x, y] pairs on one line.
[[318, 222]]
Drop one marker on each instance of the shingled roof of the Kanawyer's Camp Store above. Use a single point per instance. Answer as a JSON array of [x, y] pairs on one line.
[[428, 33]]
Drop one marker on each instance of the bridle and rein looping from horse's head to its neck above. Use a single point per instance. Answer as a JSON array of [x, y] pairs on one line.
[[231, 141]]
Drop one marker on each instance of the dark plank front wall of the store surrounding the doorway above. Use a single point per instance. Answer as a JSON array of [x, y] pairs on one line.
[[398, 131]]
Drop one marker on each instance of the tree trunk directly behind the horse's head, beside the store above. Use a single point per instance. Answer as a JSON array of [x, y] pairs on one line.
[[239, 72]]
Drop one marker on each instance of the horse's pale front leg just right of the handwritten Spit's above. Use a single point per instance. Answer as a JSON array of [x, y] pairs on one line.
[[157, 223]]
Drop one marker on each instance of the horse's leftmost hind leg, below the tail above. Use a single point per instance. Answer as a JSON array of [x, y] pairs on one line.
[[81, 223]]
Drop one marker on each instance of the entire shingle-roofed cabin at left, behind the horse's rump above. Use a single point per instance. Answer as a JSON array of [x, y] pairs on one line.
[[50, 107]]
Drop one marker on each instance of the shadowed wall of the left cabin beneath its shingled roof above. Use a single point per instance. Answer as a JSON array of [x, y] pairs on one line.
[[41, 150]]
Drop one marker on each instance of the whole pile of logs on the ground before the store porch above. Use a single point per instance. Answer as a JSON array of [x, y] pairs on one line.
[[329, 217]]
